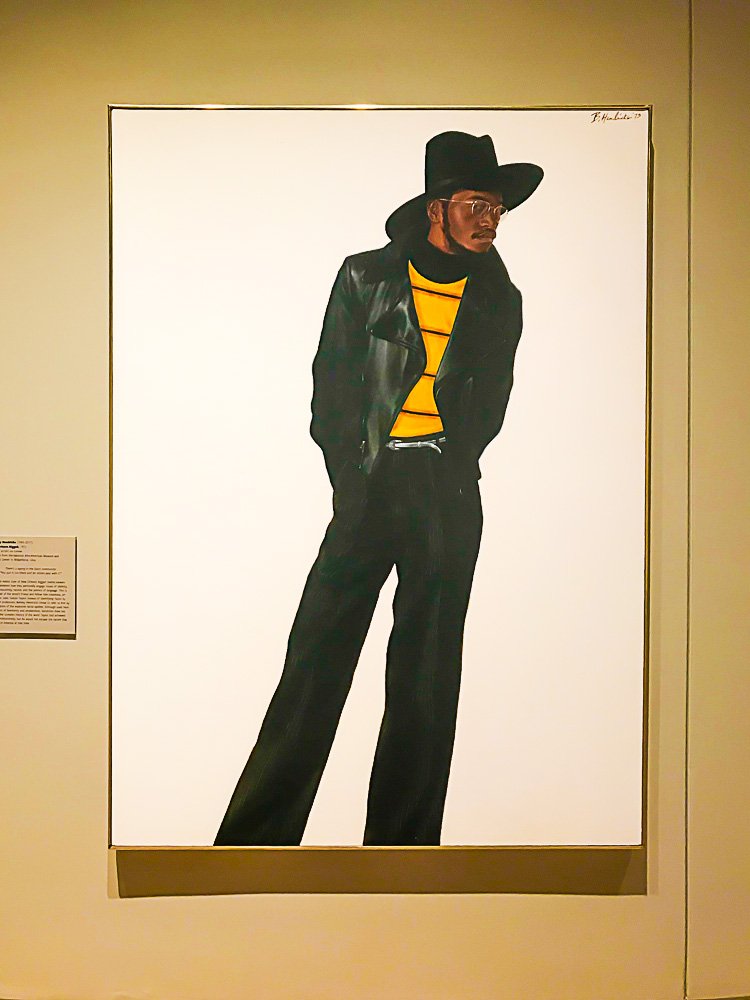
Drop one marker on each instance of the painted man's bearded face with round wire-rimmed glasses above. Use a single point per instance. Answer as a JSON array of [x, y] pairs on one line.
[[460, 224]]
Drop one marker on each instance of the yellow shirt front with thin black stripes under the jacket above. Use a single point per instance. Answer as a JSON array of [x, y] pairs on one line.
[[436, 304]]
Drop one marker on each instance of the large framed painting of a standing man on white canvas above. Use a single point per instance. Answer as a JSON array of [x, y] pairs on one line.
[[379, 476]]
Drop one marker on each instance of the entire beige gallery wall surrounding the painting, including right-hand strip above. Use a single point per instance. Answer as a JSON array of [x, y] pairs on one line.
[[66, 929]]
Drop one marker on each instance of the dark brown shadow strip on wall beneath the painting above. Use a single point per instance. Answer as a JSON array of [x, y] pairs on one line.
[[616, 871]]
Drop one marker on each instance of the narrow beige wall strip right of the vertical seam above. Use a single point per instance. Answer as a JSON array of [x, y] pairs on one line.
[[719, 724]]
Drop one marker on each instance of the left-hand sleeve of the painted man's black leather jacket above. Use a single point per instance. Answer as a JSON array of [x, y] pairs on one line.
[[337, 376]]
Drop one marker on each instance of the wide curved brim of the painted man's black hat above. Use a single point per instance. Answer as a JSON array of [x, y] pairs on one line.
[[514, 181]]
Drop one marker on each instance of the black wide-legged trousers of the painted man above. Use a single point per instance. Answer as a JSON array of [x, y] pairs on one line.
[[417, 513]]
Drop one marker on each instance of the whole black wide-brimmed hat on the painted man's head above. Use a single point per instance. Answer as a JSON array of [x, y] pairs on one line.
[[455, 160]]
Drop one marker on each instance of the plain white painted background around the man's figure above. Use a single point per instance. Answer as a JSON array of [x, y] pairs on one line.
[[228, 228]]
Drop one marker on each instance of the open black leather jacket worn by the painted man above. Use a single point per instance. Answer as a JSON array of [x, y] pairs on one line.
[[371, 354]]
